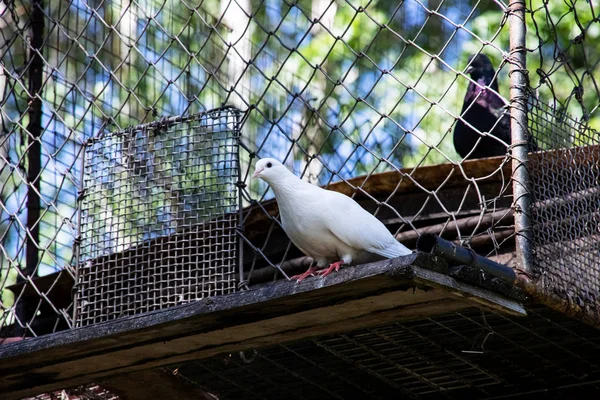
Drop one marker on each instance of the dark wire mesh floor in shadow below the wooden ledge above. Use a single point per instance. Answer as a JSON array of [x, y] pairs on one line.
[[467, 355]]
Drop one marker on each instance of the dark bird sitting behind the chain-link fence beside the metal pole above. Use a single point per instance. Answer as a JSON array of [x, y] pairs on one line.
[[486, 112]]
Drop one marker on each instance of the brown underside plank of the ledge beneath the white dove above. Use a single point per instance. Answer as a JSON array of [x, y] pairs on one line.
[[179, 351]]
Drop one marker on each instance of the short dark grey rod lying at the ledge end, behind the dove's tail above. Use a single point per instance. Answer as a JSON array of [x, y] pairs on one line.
[[433, 244]]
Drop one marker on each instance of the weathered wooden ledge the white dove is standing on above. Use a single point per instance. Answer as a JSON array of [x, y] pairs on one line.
[[368, 295]]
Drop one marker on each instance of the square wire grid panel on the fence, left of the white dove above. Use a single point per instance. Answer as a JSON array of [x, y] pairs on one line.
[[159, 216]]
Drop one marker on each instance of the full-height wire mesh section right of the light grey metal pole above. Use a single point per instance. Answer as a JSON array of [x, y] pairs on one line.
[[564, 117]]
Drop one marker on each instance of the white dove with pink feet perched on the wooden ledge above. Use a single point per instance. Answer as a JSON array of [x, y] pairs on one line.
[[328, 226]]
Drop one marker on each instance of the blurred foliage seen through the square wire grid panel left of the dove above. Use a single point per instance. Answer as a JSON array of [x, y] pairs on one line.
[[153, 182]]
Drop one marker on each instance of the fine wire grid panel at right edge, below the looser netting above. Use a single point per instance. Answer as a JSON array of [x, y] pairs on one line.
[[565, 188]]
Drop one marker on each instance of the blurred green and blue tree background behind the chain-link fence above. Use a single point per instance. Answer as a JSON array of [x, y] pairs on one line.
[[337, 89]]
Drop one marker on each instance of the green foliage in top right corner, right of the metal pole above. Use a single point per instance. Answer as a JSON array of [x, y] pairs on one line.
[[563, 43]]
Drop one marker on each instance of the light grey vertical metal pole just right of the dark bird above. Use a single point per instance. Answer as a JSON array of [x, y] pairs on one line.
[[518, 126]]
